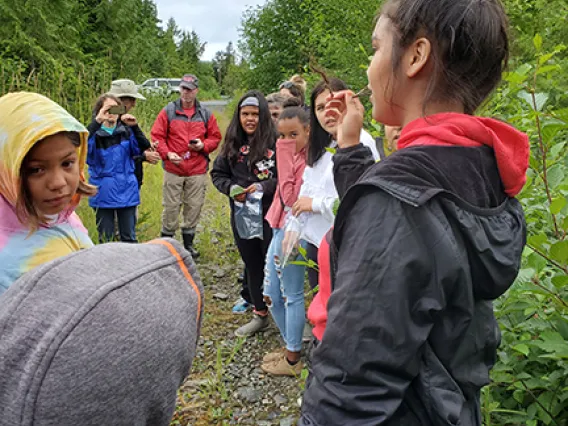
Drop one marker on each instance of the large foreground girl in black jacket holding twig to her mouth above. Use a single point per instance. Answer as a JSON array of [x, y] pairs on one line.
[[424, 240]]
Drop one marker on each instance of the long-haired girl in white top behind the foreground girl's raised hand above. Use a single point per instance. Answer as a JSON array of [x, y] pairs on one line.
[[318, 194]]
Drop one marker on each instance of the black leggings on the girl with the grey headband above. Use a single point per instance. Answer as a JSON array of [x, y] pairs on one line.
[[253, 252]]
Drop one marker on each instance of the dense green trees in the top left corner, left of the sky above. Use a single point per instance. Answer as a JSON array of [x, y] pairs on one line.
[[112, 39]]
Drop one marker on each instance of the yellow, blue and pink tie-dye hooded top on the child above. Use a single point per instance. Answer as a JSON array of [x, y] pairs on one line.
[[25, 119]]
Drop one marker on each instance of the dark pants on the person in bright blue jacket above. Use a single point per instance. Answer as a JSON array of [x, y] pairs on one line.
[[126, 224]]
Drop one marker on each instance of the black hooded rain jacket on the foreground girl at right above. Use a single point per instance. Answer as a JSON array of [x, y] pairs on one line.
[[423, 242]]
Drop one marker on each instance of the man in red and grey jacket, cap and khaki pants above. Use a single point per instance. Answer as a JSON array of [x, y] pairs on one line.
[[186, 133]]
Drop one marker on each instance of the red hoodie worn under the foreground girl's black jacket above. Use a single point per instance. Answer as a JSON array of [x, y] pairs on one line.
[[511, 149]]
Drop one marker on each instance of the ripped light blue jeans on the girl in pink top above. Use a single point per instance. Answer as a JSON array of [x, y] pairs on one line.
[[285, 290]]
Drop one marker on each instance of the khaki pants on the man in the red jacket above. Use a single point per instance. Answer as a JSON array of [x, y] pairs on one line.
[[178, 191]]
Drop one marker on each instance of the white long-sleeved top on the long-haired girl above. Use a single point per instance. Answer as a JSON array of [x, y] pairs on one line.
[[318, 184]]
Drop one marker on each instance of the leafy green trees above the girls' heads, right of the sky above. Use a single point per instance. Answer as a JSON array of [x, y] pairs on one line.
[[279, 39]]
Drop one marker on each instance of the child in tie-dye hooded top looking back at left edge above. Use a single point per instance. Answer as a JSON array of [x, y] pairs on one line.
[[42, 156]]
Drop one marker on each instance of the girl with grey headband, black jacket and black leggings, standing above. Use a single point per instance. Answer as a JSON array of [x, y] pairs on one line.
[[247, 162]]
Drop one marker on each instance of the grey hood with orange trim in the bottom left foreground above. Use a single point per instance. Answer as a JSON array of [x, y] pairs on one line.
[[104, 336]]
